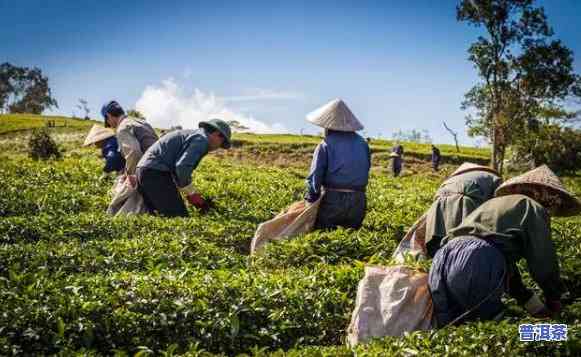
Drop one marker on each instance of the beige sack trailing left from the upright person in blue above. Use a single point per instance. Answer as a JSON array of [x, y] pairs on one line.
[[298, 218]]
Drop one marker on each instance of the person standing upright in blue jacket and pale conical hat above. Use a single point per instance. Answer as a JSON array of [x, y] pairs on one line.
[[340, 168]]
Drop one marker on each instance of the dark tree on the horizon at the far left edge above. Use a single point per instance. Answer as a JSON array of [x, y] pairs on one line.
[[24, 90]]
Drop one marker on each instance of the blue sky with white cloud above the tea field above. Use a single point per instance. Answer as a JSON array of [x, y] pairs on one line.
[[397, 64]]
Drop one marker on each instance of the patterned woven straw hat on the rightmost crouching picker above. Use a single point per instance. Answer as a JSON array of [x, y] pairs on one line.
[[544, 186]]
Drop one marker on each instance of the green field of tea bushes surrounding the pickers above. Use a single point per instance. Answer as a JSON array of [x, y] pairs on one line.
[[75, 281]]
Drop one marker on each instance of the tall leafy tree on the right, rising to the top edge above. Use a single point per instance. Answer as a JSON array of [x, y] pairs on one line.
[[523, 72]]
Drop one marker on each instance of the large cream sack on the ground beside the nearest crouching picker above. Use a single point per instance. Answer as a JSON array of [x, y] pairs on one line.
[[390, 301]]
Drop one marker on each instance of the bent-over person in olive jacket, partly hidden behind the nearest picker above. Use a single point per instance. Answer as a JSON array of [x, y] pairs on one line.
[[467, 188]]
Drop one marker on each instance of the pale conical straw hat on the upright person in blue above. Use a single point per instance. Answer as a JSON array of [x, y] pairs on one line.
[[335, 115]]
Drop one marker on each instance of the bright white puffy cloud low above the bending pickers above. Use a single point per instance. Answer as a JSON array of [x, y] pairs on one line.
[[169, 105]]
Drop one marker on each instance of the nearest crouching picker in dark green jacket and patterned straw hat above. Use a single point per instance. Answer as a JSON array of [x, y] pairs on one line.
[[477, 262]]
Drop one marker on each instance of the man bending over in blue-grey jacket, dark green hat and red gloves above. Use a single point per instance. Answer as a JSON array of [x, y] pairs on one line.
[[166, 168]]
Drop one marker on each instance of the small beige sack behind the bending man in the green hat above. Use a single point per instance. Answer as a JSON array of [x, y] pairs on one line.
[[126, 199]]
